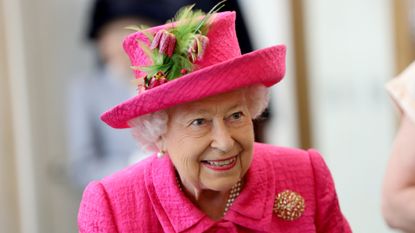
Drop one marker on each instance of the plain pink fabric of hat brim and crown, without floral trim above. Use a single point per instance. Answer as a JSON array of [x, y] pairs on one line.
[[222, 69]]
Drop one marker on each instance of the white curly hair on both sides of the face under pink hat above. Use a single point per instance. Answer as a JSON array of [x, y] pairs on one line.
[[147, 129]]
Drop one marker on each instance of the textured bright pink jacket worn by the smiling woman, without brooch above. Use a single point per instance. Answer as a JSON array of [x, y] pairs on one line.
[[145, 198]]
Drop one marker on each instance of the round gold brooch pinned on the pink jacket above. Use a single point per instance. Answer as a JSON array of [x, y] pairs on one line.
[[289, 205]]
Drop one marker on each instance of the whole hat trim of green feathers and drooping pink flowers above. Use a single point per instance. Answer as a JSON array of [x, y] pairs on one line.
[[174, 51]]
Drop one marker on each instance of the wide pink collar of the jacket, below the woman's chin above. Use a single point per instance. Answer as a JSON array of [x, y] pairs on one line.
[[252, 209]]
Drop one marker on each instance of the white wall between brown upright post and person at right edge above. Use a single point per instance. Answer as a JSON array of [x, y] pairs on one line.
[[350, 57]]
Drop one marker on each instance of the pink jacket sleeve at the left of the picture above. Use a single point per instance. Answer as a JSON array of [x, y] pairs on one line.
[[95, 213]]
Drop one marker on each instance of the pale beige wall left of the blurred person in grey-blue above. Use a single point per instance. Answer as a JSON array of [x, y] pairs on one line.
[[42, 47]]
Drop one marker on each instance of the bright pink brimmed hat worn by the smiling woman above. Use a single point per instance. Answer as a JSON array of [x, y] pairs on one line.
[[219, 68]]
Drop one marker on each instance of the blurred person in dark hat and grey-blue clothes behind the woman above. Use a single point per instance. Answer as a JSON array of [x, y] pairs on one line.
[[95, 150]]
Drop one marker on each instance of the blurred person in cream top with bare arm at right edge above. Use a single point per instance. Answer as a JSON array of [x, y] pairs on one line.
[[398, 201]]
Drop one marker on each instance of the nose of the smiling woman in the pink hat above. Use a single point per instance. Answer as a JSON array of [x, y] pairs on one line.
[[222, 137]]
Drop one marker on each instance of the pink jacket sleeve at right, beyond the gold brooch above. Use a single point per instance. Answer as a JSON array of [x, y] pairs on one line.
[[329, 218]]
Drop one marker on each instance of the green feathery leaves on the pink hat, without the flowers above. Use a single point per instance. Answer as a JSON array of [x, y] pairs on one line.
[[187, 23]]
